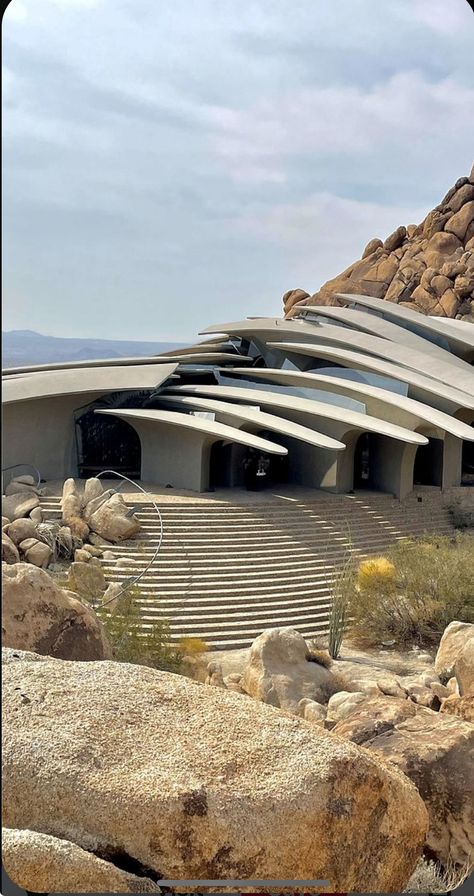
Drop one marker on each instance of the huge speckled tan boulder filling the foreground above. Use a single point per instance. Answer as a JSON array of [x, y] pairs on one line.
[[195, 782]]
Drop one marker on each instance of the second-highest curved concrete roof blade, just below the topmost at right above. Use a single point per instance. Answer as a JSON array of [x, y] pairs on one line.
[[378, 326]]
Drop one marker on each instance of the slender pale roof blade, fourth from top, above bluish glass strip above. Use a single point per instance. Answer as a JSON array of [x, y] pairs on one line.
[[348, 358]]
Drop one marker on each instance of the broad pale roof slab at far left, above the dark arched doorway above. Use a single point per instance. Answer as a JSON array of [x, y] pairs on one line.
[[48, 384]]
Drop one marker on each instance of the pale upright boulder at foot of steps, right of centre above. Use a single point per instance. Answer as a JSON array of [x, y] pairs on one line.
[[278, 671]]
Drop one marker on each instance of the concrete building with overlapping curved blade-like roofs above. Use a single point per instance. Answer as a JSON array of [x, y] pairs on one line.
[[365, 396]]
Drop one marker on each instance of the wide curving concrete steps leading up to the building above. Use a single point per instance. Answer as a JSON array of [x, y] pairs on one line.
[[228, 570]]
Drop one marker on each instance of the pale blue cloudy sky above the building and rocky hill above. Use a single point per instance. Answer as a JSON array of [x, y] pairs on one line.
[[171, 165]]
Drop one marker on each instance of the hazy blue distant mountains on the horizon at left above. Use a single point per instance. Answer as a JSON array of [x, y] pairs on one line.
[[23, 347]]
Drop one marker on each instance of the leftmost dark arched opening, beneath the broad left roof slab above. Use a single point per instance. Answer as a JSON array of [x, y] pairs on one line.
[[106, 443]]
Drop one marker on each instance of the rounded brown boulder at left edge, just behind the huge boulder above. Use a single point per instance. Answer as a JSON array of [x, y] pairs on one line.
[[37, 615]]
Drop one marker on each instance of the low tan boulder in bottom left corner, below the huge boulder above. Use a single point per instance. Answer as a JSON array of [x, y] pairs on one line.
[[40, 863]]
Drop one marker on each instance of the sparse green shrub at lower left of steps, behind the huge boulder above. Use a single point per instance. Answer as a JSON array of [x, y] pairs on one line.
[[136, 640]]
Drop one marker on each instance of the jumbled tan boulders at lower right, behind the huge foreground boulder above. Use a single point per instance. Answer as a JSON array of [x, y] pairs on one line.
[[421, 723]]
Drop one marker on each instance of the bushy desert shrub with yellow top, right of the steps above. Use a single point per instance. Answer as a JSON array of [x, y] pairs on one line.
[[413, 593]]
